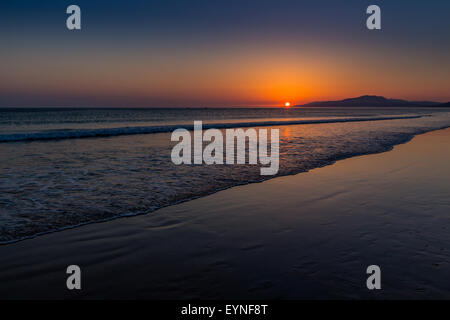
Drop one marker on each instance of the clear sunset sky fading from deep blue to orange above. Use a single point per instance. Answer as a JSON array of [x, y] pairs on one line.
[[214, 53]]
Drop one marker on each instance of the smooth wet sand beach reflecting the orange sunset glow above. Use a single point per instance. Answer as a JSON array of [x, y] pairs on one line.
[[308, 236]]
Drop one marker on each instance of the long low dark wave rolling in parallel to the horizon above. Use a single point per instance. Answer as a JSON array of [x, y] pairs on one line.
[[107, 132]]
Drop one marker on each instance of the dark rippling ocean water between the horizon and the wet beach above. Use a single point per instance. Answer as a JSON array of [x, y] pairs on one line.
[[64, 167]]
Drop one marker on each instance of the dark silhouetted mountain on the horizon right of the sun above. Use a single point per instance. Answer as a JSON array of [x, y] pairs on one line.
[[369, 101]]
